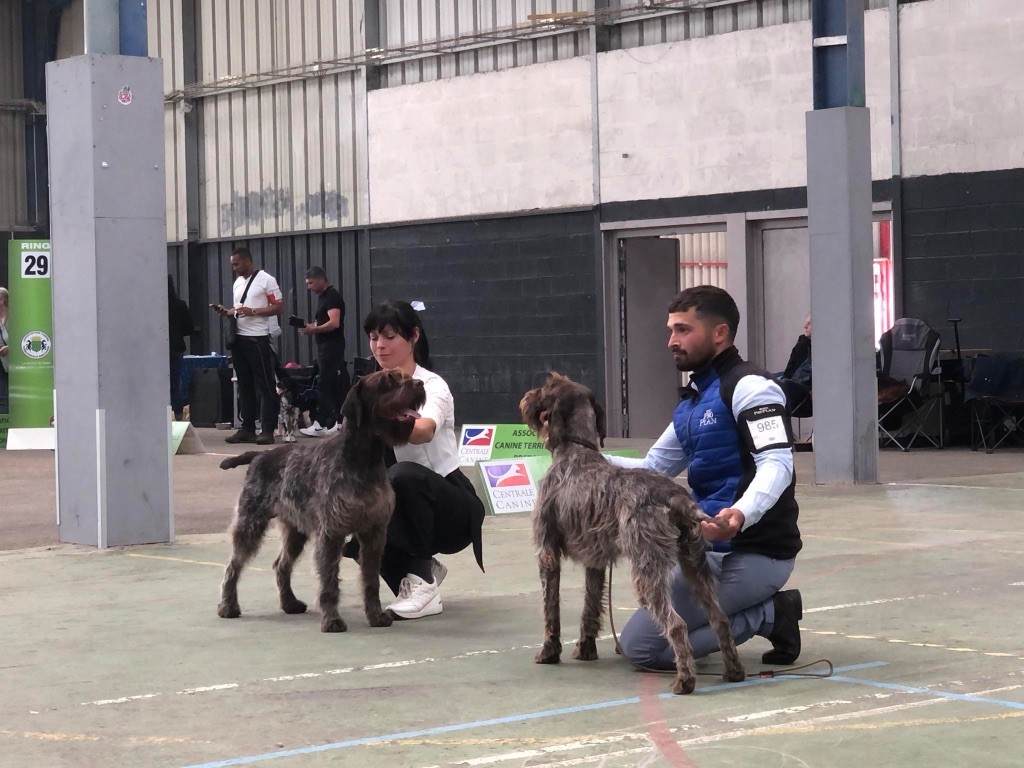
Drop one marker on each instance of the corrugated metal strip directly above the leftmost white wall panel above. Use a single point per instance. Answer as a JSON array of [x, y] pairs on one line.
[[406, 23]]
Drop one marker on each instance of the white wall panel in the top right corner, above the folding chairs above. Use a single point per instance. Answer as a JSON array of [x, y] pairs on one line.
[[961, 83]]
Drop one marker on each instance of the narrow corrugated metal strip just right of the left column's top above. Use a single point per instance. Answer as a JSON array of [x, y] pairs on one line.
[[166, 44]]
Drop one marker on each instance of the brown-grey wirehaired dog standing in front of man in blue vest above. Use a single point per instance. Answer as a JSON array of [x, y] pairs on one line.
[[593, 513]]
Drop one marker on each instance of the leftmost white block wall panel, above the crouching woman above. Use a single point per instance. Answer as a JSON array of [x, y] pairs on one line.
[[504, 142]]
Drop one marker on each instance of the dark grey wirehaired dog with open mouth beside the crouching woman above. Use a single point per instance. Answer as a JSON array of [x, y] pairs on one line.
[[327, 491]]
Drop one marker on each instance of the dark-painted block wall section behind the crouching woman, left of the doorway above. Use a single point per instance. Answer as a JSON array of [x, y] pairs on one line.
[[507, 301]]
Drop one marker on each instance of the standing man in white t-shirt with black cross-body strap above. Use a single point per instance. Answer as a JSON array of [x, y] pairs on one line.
[[257, 300]]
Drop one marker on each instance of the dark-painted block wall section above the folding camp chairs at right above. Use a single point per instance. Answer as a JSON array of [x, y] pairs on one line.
[[964, 257]]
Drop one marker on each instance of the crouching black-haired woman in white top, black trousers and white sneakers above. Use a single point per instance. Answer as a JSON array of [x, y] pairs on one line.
[[437, 508]]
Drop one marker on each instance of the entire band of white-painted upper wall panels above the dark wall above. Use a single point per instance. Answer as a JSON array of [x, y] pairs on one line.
[[721, 114]]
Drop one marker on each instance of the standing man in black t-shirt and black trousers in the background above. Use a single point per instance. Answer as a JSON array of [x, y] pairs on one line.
[[330, 338]]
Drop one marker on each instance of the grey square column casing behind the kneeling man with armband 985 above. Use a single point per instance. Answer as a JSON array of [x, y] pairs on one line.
[[839, 208]]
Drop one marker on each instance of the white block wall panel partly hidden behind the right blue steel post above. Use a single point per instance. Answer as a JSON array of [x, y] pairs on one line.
[[723, 114]]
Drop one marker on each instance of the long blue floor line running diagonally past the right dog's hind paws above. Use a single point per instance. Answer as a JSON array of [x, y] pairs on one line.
[[251, 759]]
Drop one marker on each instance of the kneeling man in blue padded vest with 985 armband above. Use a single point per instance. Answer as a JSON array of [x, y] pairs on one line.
[[732, 435]]
